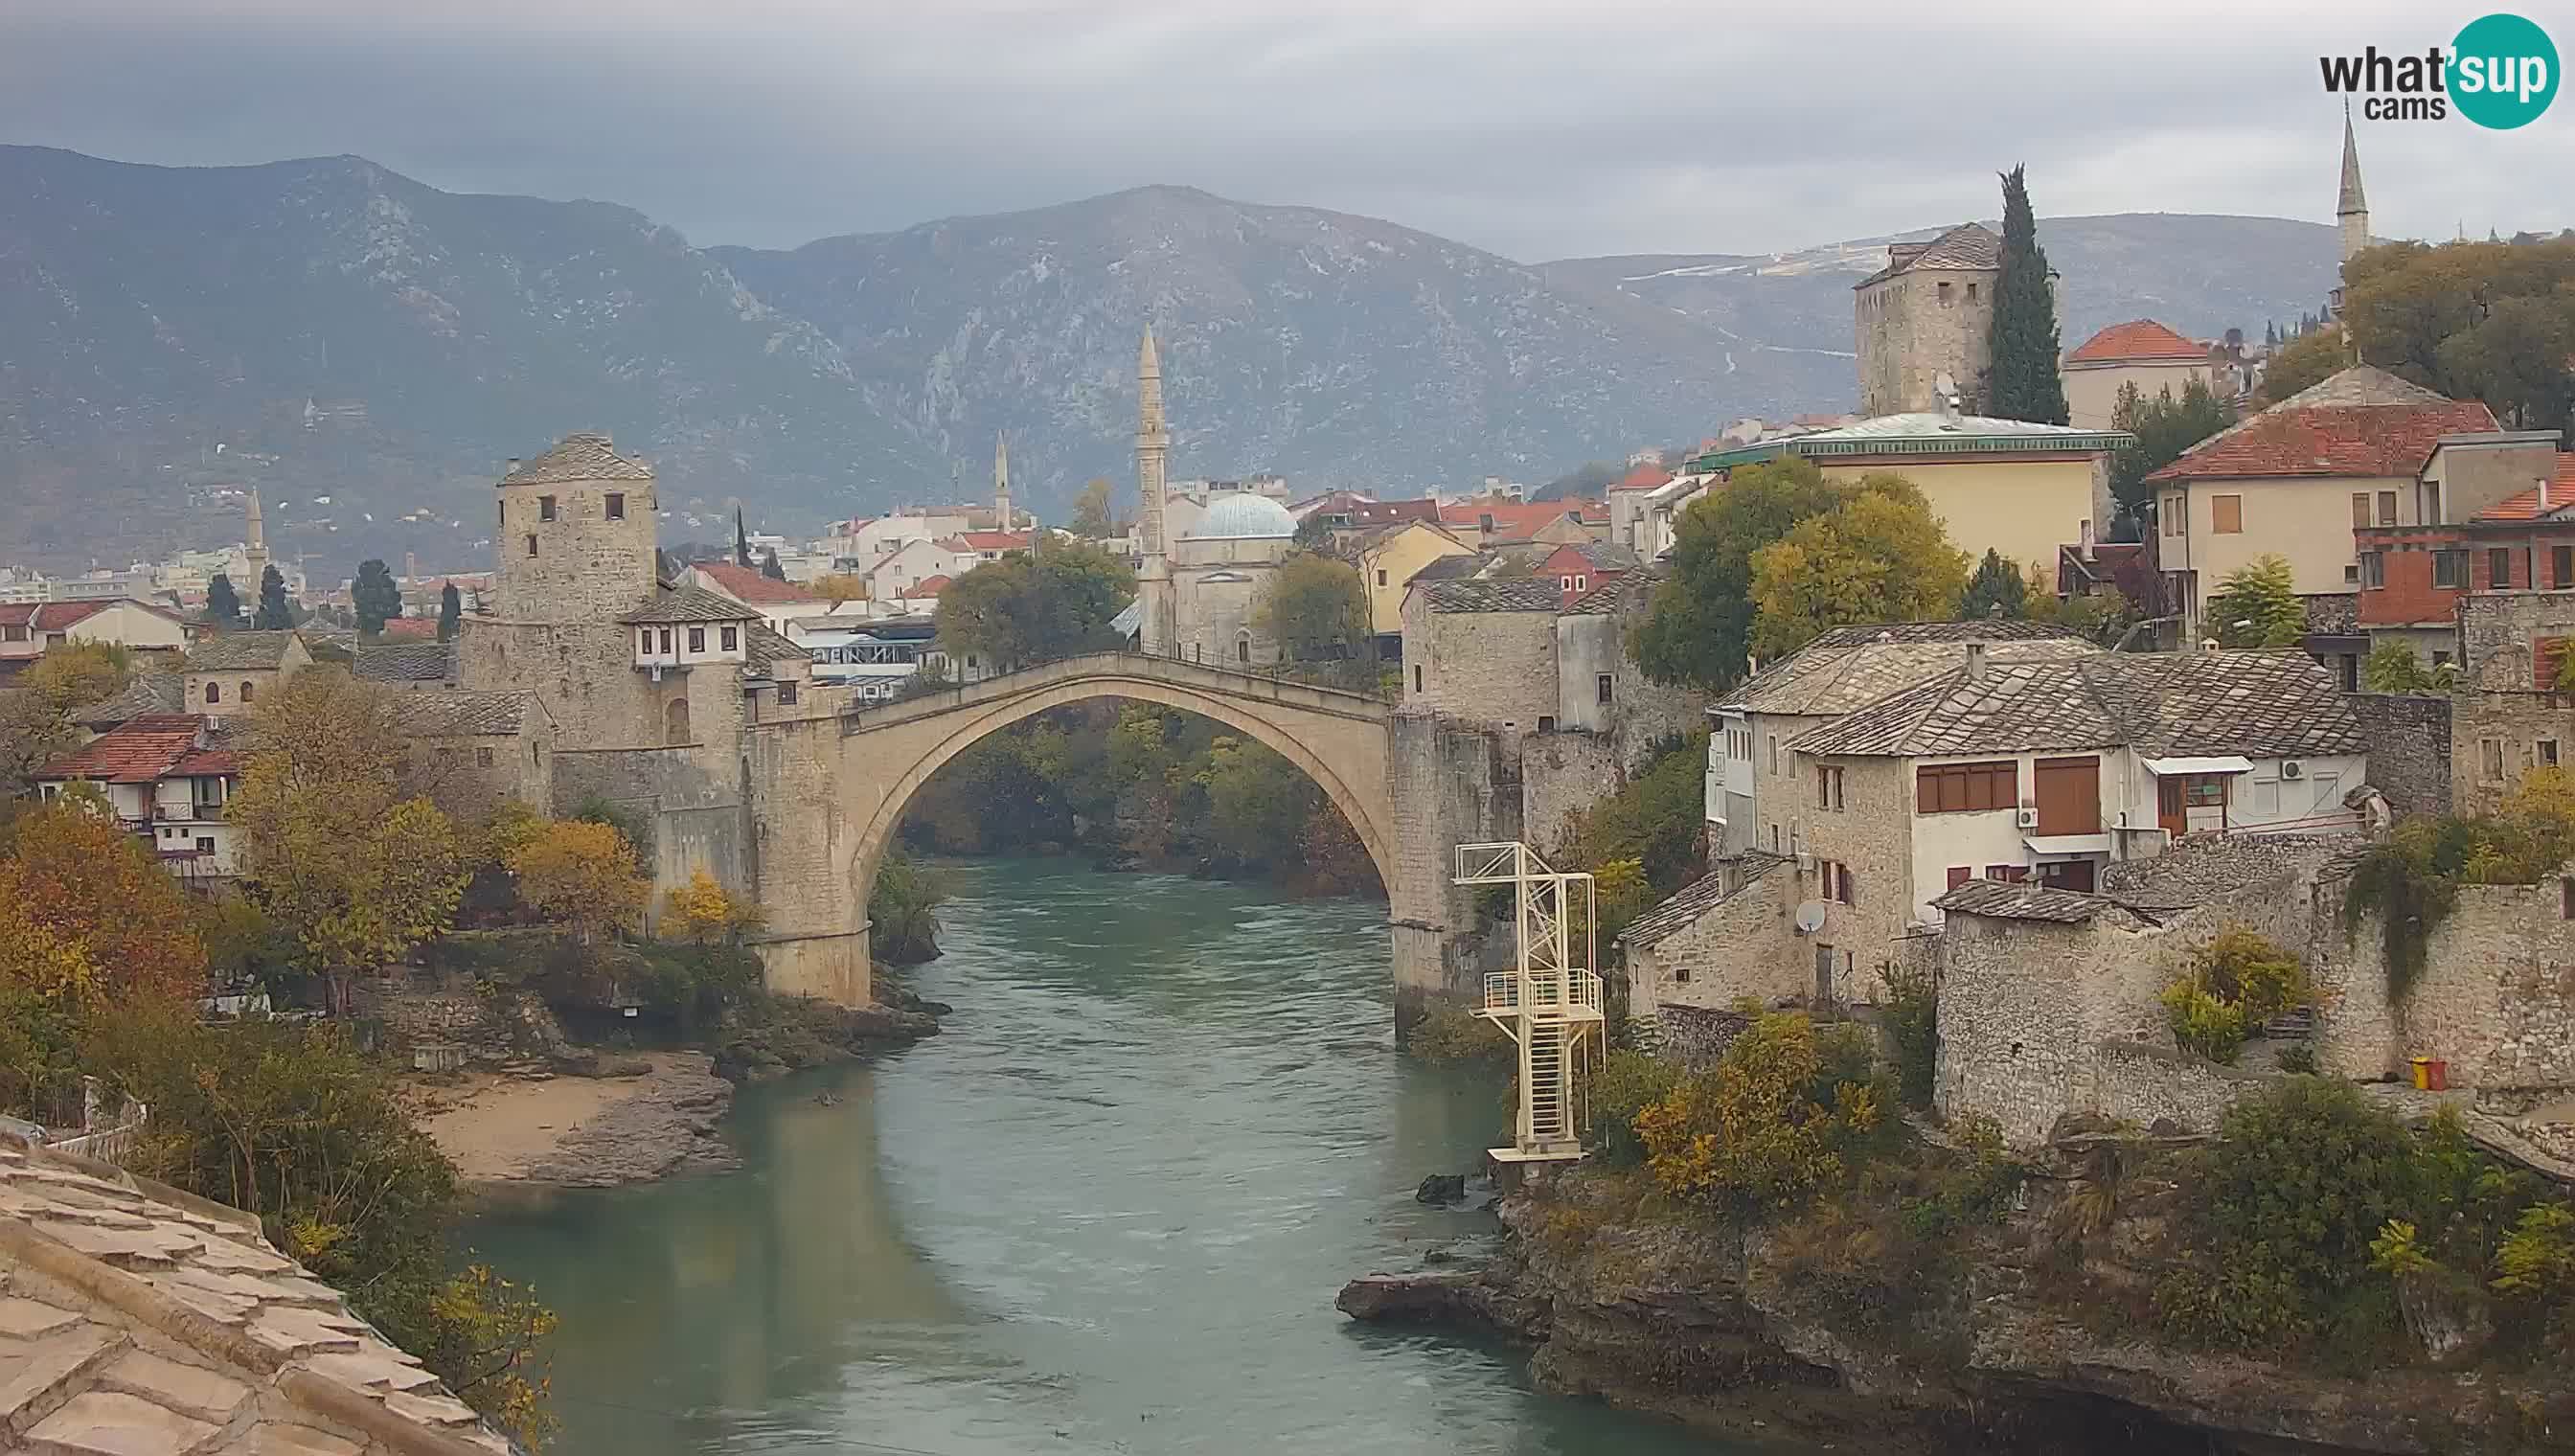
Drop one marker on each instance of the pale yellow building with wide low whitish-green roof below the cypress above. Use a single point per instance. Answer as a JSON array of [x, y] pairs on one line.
[[2005, 486]]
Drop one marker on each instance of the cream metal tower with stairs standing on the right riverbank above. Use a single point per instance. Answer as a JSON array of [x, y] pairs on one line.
[[1551, 1004]]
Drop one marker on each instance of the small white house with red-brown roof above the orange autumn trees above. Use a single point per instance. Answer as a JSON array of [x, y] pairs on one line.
[[169, 780]]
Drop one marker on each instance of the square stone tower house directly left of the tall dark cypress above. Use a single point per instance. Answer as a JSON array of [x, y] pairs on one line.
[[1927, 318]]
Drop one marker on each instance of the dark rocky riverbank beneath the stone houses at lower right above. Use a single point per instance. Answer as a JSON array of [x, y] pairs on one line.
[[1734, 1334]]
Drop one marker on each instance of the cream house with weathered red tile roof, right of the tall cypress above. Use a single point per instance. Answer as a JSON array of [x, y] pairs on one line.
[[2288, 481]]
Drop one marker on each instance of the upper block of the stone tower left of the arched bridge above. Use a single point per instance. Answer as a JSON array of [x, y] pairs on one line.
[[576, 535]]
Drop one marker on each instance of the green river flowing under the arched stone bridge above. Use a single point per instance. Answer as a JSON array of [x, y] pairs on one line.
[[1103, 1215]]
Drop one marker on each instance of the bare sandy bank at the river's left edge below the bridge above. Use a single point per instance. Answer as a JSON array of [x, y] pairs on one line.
[[581, 1133]]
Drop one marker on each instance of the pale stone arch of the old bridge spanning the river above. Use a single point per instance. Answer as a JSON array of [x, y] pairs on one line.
[[1340, 741]]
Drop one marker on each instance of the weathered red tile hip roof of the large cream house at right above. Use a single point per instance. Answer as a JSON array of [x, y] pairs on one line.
[[2357, 424]]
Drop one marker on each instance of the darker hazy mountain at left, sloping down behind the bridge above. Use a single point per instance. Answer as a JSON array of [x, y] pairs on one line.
[[328, 329]]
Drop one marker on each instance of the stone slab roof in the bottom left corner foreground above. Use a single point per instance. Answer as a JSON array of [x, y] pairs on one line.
[[138, 1321]]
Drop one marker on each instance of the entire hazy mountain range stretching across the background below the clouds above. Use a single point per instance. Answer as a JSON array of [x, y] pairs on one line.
[[367, 349]]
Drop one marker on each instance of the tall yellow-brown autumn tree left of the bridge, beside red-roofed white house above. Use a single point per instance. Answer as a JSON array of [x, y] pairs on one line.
[[333, 849]]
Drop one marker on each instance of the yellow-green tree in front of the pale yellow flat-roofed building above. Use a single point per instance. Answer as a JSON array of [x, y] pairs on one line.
[[1876, 558]]
